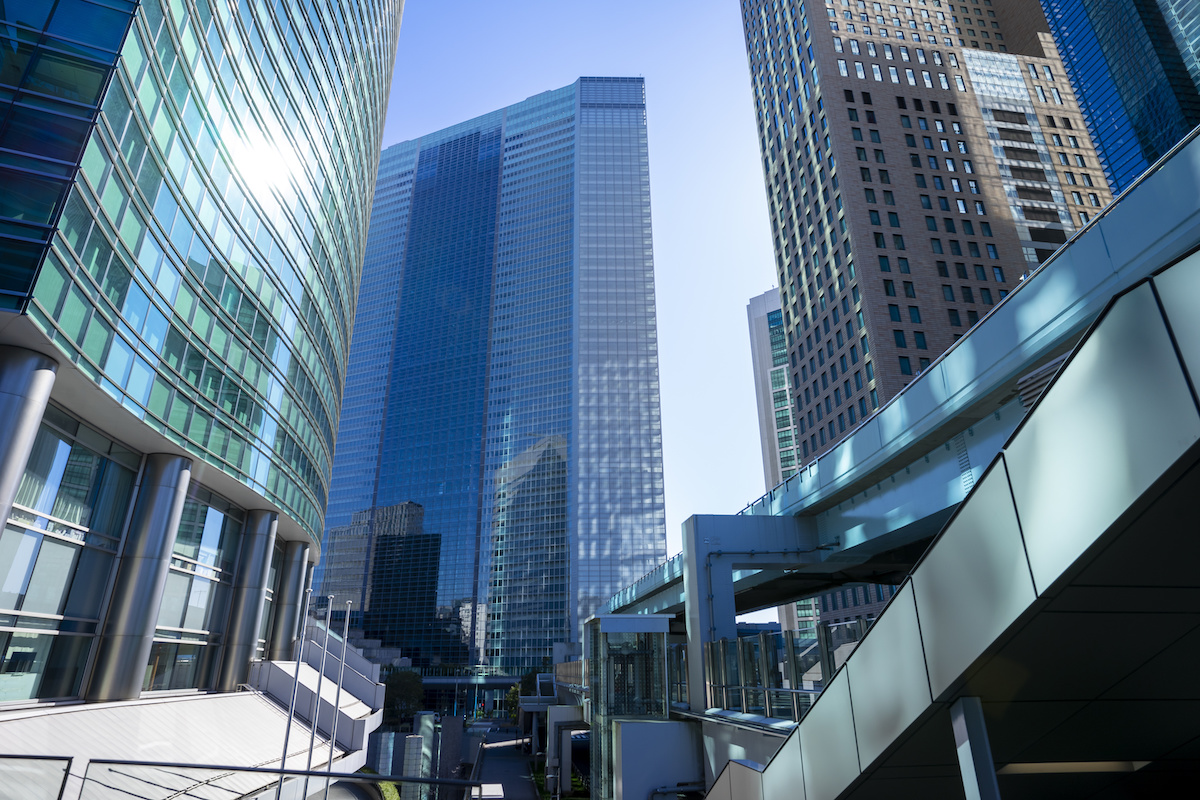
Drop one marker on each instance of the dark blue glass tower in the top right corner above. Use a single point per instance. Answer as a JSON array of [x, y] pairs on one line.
[[1136, 67]]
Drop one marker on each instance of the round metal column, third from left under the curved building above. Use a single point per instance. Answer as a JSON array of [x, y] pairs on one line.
[[249, 594]]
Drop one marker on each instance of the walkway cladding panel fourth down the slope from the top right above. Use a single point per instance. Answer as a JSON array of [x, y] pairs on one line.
[[889, 678]]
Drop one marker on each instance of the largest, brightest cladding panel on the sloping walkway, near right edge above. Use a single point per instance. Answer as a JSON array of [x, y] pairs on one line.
[[1117, 418]]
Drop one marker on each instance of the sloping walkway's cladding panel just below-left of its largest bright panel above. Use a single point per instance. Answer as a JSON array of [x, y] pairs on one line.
[[974, 584]]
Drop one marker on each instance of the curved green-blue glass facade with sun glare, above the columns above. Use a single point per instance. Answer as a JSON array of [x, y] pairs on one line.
[[206, 268]]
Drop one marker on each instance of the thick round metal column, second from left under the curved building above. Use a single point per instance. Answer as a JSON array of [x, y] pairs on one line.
[[128, 634]]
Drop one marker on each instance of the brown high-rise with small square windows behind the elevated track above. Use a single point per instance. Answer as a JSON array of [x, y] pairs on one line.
[[920, 159]]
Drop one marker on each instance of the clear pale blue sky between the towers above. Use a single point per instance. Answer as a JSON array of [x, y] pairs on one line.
[[459, 59]]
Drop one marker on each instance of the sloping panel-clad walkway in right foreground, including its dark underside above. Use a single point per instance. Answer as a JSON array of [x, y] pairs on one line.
[[1061, 599]]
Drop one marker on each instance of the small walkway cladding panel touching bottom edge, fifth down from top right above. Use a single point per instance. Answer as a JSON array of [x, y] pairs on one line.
[[827, 739]]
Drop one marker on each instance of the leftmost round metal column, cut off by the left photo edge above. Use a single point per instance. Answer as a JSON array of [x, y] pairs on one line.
[[26, 383]]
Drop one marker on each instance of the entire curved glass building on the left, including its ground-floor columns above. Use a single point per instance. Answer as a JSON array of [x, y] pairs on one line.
[[184, 201]]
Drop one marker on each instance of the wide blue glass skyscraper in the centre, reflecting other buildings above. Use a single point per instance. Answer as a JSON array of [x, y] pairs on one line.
[[505, 377]]
